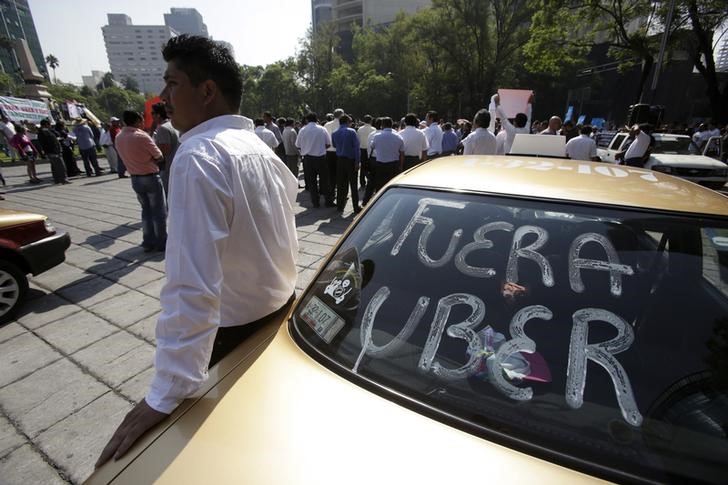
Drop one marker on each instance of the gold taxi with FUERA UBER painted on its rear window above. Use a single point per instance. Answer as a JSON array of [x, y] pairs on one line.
[[485, 319]]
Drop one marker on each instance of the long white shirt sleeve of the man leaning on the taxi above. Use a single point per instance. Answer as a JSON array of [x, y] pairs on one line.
[[200, 212]]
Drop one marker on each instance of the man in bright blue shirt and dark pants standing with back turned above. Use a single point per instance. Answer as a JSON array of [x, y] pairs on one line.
[[346, 143]]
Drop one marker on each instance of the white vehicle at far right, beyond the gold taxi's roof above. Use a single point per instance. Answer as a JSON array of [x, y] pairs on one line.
[[677, 155]]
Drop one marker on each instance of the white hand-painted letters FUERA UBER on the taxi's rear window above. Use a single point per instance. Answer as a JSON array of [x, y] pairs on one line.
[[602, 353]]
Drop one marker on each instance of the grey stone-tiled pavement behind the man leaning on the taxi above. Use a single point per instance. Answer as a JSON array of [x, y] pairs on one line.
[[80, 353]]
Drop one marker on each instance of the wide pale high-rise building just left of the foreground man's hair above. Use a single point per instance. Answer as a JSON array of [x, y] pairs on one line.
[[134, 51]]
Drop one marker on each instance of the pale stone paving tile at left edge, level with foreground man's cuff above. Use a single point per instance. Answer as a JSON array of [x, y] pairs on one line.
[[48, 395]]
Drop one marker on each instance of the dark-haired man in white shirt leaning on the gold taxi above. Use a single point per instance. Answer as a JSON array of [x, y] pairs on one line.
[[227, 274]]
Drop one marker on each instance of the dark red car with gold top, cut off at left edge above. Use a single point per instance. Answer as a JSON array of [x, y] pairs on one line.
[[29, 244]]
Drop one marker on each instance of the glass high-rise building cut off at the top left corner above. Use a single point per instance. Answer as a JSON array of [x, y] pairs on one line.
[[17, 23]]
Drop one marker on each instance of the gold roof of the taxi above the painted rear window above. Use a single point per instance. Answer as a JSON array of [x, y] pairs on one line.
[[566, 180]]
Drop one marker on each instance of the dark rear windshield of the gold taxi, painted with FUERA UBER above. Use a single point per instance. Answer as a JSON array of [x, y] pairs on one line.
[[596, 337]]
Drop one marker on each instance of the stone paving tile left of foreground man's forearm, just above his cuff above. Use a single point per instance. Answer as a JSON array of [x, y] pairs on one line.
[[117, 358]]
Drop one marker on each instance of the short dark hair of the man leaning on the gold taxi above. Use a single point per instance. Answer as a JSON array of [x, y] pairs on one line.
[[202, 59]]
